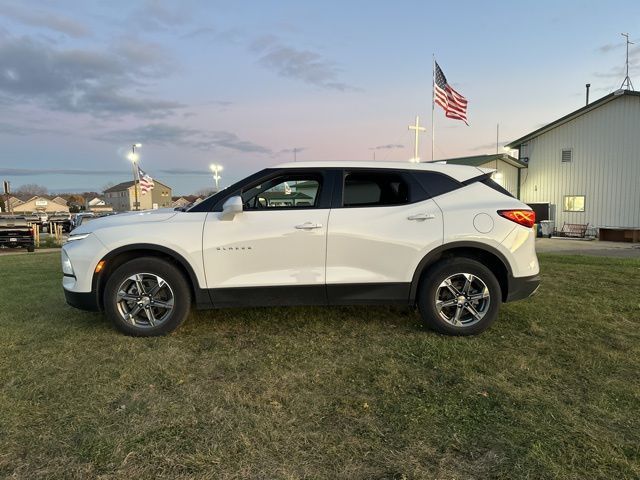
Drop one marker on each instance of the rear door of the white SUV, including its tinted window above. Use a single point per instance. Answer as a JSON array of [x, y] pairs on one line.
[[382, 224]]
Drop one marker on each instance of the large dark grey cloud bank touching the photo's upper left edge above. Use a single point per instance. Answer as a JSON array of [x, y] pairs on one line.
[[88, 81]]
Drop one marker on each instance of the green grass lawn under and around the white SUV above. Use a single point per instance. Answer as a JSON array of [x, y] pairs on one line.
[[552, 390]]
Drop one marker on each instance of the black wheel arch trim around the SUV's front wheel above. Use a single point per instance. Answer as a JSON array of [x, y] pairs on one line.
[[121, 255]]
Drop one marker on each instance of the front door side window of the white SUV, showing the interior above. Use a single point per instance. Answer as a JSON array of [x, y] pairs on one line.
[[283, 192]]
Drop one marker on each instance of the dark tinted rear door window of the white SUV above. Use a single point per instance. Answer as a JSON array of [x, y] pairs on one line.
[[374, 189]]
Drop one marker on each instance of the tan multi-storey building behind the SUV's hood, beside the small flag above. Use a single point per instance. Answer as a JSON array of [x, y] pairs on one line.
[[122, 197]]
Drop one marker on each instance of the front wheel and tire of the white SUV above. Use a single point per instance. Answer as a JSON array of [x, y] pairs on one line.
[[161, 309]]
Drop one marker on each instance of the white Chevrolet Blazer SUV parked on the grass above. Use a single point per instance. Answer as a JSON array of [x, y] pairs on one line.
[[443, 237]]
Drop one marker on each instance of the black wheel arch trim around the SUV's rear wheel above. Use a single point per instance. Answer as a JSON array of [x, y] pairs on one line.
[[489, 256]]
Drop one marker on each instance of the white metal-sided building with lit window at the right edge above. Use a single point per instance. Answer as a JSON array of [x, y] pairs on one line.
[[604, 140]]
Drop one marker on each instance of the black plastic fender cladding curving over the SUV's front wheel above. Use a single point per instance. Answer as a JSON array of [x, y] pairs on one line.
[[201, 296]]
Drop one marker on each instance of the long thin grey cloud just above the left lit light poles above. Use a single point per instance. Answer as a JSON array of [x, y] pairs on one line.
[[165, 134]]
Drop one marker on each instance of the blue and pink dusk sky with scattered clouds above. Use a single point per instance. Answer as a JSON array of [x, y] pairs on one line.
[[244, 83]]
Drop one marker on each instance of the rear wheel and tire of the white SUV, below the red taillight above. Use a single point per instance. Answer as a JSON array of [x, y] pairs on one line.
[[447, 306]]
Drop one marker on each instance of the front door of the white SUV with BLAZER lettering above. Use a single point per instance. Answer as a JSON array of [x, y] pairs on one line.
[[274, 251]]
